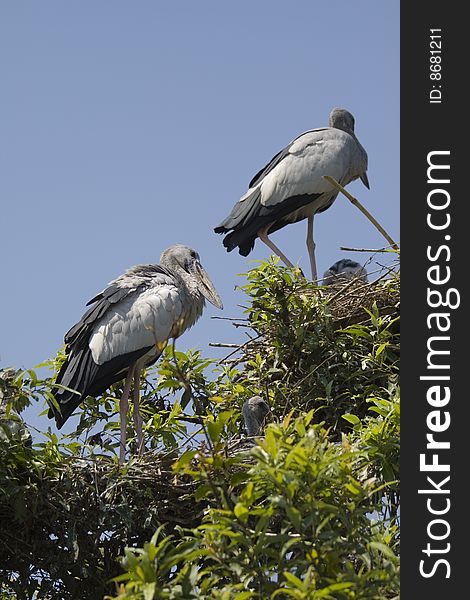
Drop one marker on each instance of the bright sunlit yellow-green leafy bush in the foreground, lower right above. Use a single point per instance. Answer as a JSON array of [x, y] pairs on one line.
[[292, 520]]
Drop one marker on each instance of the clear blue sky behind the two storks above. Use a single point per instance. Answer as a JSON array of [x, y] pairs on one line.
[[127, 127]]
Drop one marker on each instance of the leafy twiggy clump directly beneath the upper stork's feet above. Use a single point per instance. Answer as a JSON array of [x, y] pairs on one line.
[[304, 360]]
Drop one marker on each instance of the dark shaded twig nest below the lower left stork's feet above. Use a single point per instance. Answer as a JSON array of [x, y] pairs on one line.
[[59, 522]]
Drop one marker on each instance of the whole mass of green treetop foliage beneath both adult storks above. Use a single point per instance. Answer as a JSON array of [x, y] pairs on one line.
[[310, 511]]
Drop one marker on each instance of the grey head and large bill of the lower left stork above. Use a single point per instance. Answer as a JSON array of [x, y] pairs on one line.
[[186, 258]]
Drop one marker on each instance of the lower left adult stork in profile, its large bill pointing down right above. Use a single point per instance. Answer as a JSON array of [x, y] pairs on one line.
[[127, 328]]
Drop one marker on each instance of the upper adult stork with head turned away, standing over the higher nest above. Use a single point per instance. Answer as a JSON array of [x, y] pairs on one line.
[[291, 186]]
